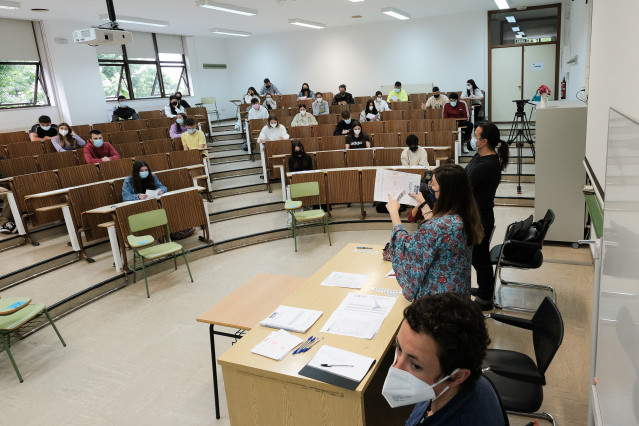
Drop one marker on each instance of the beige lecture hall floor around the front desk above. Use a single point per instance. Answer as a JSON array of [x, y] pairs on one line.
[[133, 360]]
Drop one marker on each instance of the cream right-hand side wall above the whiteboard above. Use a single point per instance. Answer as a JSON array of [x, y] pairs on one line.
[[613, 74]]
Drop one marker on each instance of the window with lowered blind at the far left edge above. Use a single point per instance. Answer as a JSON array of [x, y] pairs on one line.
[[22, 81]]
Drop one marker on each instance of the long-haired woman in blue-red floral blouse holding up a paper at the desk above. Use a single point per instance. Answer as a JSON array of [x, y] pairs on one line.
[[437, 257]]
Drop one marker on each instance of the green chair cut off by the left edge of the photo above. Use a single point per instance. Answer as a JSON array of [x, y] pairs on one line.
[[22, 313]]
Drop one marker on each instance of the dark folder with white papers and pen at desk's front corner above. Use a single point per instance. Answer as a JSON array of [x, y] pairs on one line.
[[338, 367]]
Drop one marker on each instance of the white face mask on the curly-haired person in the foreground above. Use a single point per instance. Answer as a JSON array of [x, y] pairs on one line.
[[402, 388]]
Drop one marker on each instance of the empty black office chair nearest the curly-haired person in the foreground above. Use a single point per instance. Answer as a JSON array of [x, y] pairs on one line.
[[518, 380]]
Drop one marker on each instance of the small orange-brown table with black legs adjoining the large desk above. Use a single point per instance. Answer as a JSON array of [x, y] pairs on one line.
[[244, 309]]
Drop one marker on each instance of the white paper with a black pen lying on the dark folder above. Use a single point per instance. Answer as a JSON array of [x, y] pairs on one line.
[[334, 356]]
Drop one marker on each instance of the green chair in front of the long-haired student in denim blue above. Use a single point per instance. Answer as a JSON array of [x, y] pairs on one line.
[[142, 246]]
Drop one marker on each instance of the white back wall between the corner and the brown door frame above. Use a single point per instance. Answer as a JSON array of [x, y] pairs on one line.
[[364, 57]]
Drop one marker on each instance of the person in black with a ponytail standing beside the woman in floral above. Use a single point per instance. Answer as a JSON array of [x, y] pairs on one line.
[[484, 171]]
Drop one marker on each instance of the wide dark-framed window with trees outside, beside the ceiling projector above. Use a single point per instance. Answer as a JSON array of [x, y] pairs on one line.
[[153, 66]]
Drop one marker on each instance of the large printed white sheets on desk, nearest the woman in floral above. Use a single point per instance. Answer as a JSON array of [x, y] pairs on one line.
[[359, 315]]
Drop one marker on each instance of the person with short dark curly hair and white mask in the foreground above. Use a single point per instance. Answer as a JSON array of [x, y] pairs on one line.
[[439, 351]]
